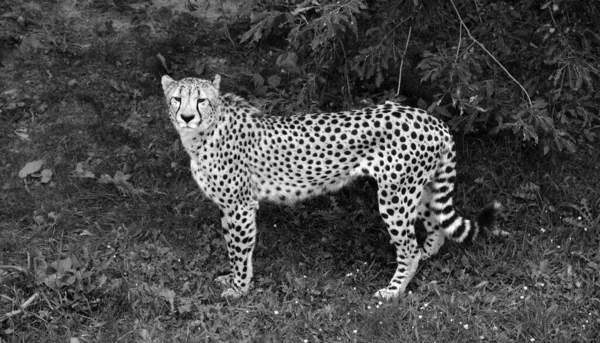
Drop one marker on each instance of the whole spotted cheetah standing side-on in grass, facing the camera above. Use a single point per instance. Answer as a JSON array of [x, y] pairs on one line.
[[239, 156]]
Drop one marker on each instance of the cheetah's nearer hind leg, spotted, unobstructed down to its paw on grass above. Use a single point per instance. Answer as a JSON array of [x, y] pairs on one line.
[[399, 216]]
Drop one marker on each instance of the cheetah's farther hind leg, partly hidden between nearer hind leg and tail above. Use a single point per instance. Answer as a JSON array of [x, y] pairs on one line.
[[435, 236]]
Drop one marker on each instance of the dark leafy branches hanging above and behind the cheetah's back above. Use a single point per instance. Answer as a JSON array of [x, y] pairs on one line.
[[525, 68]]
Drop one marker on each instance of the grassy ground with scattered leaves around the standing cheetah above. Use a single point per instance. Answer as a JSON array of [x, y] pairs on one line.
[[120, 246]]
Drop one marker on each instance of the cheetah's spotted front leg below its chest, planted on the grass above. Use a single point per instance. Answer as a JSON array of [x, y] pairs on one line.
[[239, 228]]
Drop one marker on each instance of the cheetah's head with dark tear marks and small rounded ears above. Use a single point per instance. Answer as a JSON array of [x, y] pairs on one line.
[[193, 103]]
